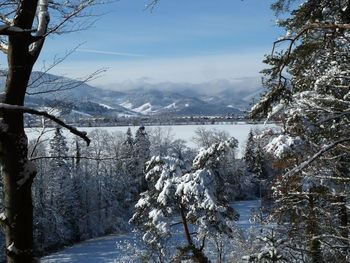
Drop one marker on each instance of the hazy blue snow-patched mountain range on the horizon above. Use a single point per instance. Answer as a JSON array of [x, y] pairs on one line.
[[76, 98]]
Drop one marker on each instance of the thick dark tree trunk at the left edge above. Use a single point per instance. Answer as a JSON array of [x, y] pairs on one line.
[[17, 171]]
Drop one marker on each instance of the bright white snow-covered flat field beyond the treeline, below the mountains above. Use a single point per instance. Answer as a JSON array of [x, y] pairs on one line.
[[238, 130]]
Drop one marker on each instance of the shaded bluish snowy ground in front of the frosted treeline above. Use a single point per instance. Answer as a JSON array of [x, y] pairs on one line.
[[104, 249]]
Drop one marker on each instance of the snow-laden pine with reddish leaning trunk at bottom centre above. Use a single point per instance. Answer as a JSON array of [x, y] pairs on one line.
[[200, 196]]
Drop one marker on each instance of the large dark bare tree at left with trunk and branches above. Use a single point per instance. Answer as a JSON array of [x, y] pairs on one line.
[[25, 25]]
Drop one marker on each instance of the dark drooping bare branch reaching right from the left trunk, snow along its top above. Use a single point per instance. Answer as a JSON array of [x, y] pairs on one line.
[[17, 108]]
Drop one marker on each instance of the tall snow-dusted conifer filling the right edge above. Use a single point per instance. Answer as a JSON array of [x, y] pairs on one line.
[[312, 101]]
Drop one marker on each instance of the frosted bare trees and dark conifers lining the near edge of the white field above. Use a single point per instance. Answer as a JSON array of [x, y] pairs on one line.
[[82, 192]]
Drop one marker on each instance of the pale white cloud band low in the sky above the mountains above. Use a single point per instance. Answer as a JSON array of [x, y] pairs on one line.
[[188, 69]]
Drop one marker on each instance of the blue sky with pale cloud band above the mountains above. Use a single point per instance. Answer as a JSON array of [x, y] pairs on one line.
[[188, 41]]
